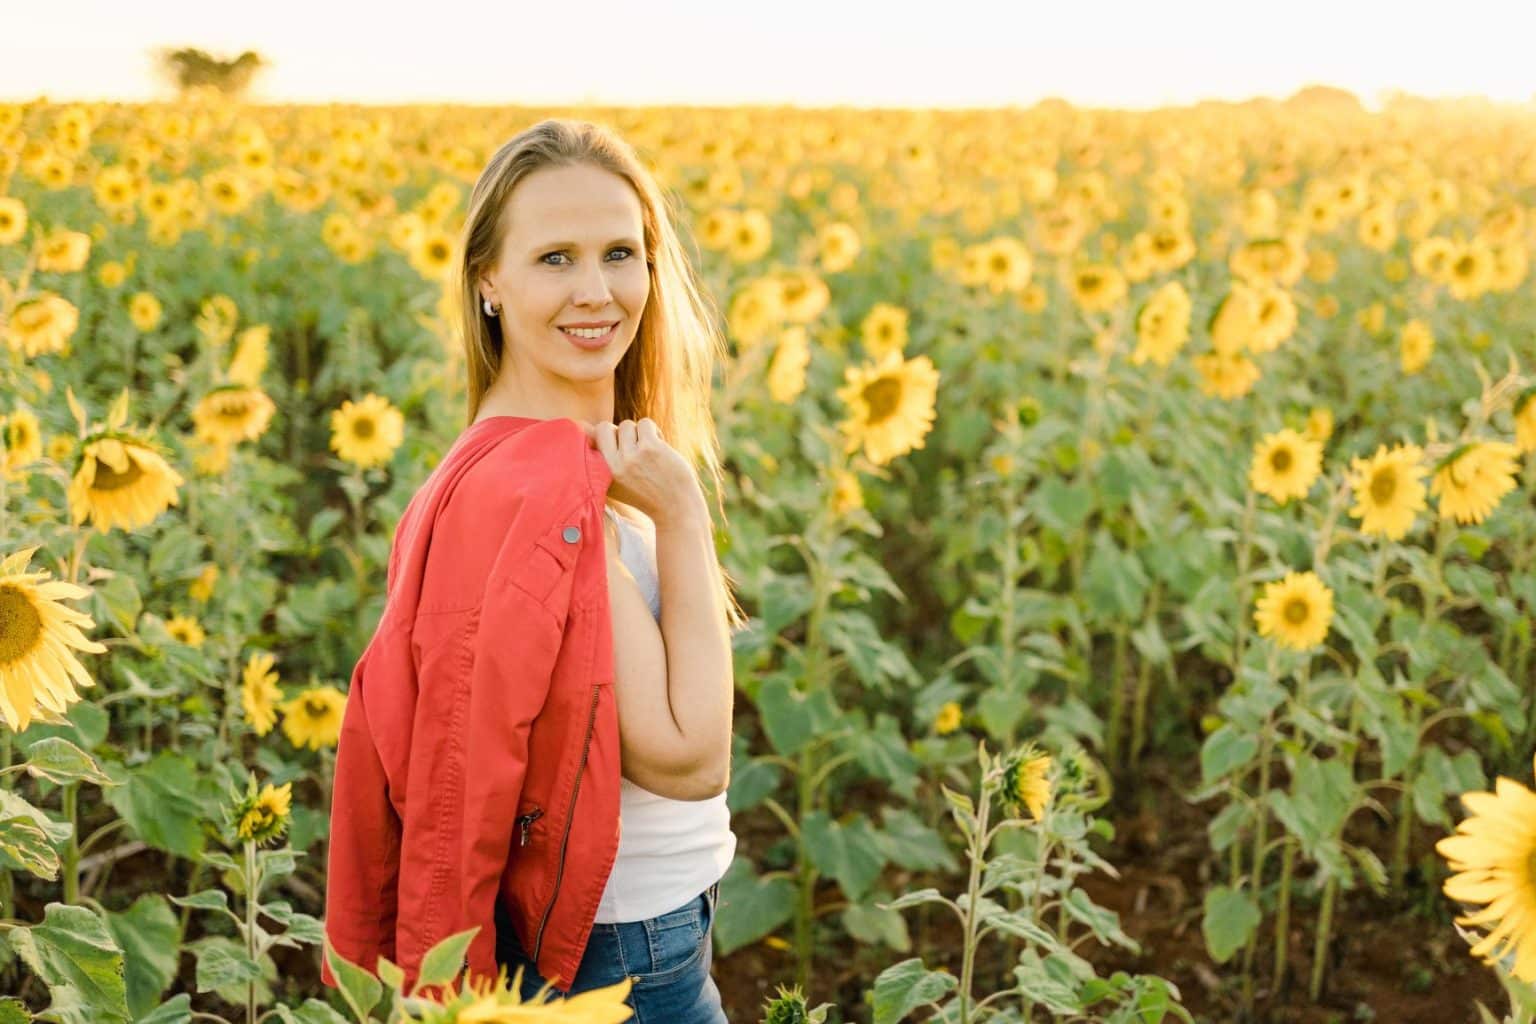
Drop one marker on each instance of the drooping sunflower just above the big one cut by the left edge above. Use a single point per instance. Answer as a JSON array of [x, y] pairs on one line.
[[121, 481]]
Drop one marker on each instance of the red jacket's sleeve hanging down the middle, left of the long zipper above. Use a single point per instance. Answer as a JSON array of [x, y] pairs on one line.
[[517, 644]]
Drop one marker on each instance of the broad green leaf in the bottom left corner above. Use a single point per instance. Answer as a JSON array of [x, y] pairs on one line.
[[73, 953]]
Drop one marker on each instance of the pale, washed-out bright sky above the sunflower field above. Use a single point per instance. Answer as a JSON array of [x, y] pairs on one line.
[[806, 53]]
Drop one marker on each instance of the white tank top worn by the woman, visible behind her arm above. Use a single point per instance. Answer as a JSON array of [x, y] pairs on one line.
[[670, 851]]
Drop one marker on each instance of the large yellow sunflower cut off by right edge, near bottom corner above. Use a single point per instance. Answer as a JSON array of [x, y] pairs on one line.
[[1494, 856]]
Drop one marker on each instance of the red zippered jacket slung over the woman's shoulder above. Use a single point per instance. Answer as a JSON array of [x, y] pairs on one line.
[[480, 747]]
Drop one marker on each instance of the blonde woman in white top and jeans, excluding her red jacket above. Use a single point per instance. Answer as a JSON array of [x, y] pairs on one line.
[[589, 311]]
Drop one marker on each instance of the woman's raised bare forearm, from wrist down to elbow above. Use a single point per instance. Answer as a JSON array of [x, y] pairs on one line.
[[700, 670]]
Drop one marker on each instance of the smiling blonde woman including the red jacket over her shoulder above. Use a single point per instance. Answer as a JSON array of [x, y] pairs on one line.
[[589, 354]]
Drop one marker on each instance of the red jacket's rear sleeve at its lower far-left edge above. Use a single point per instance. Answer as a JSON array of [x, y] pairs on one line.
[[363, 859]]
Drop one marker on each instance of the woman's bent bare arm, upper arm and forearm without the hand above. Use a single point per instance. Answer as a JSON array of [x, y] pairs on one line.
[[675, 684]]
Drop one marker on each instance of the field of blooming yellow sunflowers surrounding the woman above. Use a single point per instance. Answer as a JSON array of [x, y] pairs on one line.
[[1136, 514]]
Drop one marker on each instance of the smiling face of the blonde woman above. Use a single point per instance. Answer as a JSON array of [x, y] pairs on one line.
[[574, 254]]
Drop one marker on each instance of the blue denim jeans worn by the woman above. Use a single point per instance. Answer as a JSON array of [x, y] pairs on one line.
[[667, 959]]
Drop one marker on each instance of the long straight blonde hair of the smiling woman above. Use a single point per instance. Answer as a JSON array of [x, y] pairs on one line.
[[669, 371]]
